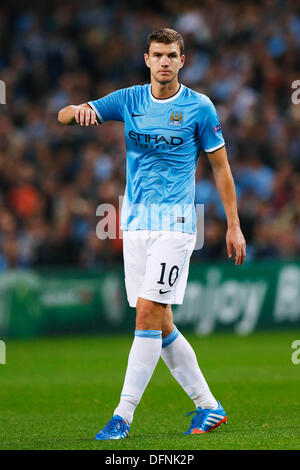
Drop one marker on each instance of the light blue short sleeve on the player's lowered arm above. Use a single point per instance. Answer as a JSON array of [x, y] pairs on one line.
[[210, 132]]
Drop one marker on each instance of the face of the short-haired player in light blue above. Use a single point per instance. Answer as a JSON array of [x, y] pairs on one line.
[[164, 61]]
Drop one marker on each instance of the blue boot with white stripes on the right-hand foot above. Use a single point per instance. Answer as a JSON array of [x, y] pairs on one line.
[[206, 420]]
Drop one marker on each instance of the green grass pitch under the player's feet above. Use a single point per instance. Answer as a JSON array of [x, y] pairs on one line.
[[58, 393]]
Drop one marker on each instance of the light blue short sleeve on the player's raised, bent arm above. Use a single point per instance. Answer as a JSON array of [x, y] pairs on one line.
[[110, 107]]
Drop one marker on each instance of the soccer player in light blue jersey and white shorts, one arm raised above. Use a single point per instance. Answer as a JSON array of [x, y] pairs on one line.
[[166, 126]]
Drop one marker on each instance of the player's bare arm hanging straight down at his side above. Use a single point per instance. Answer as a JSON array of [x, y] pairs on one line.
[[235, 240]]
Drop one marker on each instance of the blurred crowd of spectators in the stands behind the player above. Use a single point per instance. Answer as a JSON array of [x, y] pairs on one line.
[[243, 55]]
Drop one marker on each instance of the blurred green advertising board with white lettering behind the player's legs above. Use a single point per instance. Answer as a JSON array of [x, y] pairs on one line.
[[218, 297]]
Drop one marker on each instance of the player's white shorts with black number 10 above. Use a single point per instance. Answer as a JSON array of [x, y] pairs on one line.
[[156, 265]]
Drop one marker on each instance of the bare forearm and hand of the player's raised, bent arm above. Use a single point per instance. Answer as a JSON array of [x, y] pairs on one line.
[[82, 114]]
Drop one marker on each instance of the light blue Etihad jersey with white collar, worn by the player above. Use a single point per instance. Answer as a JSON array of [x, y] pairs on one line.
[[163, 141]]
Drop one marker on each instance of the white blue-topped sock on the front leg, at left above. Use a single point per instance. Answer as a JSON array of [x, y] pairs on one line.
[[143, 357]]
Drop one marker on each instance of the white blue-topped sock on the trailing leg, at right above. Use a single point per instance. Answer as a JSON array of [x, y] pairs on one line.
[[181, 359]]
